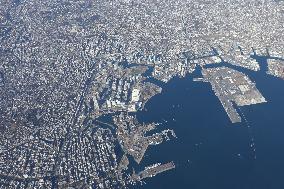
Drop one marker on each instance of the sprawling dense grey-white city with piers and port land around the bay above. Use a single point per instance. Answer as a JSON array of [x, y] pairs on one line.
[[64, 65]]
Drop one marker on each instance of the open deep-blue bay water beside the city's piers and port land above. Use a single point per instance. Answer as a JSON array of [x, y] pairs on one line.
[[210, 151]]
